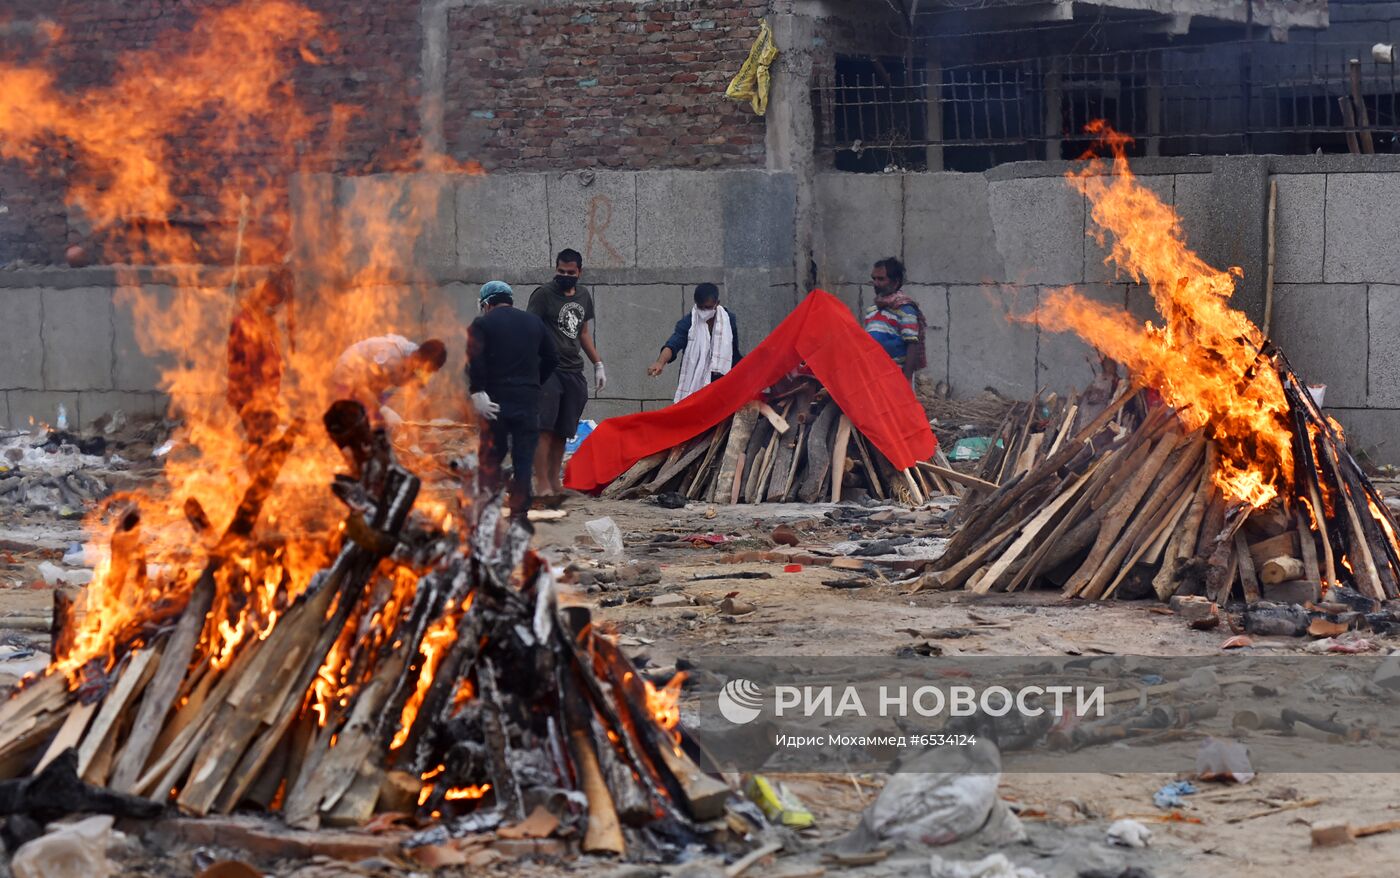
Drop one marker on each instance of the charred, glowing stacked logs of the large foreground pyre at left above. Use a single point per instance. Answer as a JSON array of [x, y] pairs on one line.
[[425, 670]]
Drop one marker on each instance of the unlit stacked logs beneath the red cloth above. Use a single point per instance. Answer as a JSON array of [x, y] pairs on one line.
[[797, 446]]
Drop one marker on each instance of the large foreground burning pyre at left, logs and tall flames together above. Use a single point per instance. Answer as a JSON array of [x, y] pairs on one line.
[[247, 643]]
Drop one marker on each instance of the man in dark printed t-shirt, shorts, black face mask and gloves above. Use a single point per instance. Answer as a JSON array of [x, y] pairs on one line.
[[568, 310]]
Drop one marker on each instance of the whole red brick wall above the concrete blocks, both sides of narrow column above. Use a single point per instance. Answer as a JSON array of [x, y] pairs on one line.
[[538, 86]]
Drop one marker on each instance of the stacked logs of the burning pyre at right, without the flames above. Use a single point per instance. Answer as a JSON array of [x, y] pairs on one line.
[[1108, 495]]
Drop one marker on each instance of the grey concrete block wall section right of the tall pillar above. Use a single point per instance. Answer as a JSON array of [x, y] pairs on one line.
[[983, 249]]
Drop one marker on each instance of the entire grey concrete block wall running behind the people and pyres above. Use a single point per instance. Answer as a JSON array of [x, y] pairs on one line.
[[982, 251]]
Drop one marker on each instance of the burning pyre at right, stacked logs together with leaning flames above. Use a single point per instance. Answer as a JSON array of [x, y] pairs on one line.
[[1207, 466]]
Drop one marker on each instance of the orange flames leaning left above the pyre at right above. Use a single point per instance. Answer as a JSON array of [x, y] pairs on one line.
[[1205, 358]]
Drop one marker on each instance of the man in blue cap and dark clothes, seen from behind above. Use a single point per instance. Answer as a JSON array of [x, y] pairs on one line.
[[510, 354]]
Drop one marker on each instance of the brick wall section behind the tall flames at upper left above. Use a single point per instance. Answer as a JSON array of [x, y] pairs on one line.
[[370, 67]]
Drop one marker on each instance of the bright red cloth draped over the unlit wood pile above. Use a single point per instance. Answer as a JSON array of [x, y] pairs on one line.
[[852, 366]]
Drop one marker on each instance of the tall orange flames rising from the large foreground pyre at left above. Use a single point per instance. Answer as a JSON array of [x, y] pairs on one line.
[[183, 160]]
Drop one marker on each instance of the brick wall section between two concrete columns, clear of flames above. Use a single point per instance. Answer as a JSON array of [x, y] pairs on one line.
[[607, 83]]
